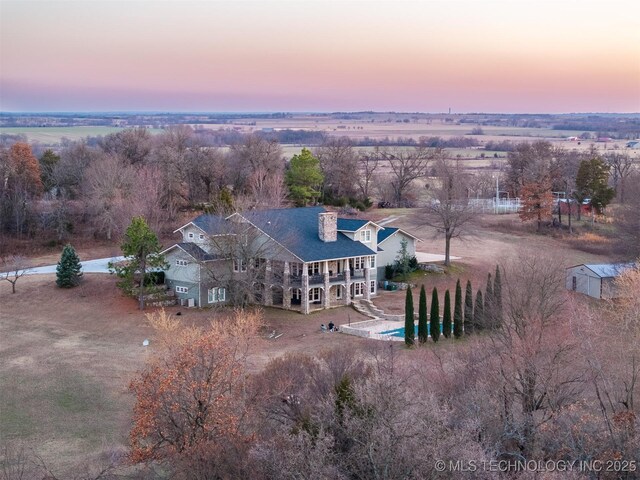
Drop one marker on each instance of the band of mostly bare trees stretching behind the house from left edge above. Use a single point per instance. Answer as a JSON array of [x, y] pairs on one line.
[[131, 173]]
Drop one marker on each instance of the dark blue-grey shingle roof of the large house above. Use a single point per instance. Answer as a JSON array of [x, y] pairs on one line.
[[296, 229]]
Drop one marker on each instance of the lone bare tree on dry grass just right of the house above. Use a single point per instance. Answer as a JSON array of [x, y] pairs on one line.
[[448, 210]]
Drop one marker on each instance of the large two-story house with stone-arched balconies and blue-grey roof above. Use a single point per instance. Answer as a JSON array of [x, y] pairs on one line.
[[301, 259]]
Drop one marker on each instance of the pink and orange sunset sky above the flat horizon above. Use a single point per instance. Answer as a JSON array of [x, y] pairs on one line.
[[512, 56]]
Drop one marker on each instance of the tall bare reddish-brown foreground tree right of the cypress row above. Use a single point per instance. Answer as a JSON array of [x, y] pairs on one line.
[[535, 352]]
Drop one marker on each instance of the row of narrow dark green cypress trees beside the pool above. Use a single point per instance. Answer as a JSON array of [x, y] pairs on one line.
[[486, 313]]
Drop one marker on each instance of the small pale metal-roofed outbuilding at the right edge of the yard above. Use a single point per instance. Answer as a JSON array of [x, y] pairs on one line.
[[597, 281]]
